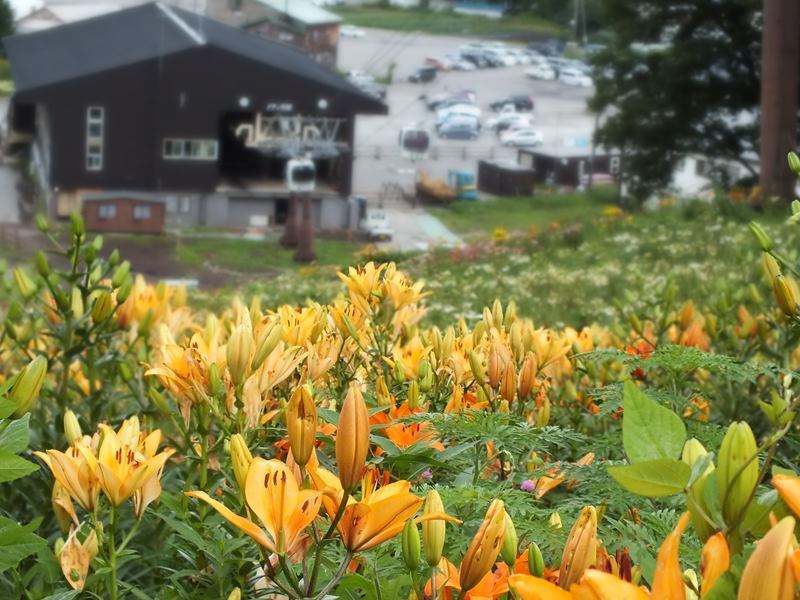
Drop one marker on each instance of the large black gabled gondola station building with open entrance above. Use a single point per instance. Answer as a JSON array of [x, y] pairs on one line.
[[191, 112]]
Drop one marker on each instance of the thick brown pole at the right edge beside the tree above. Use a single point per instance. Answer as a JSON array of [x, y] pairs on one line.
[[780, 69]]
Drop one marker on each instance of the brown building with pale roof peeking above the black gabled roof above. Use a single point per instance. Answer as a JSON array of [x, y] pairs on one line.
[[298, 22]]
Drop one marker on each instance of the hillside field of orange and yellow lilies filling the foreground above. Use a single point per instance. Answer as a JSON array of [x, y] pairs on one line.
[[598, 410]]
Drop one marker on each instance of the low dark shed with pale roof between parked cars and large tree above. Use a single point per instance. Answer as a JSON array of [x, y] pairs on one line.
[[568, 165]]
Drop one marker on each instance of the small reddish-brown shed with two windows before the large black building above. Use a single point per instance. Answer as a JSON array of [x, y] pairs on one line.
[[119, 213]]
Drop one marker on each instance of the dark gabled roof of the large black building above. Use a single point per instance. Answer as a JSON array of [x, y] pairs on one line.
[[146, 32]]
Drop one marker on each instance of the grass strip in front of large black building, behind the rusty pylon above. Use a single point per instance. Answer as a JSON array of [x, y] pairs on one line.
[[251, 256]]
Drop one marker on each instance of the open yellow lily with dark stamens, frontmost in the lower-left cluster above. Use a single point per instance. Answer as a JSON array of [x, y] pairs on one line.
[[123, 466]]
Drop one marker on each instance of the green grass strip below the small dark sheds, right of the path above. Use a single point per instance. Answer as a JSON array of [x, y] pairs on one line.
[[520, 214]]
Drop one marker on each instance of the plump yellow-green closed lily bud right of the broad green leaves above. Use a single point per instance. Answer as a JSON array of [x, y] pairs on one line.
[[737, 450]]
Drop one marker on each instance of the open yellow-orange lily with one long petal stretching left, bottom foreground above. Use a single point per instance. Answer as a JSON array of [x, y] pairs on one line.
[[273, 495]]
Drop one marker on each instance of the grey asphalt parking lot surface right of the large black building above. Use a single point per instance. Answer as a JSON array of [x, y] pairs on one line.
[[560, 113]]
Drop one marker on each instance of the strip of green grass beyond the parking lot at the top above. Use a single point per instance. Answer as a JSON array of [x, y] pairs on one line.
[[446, 23]]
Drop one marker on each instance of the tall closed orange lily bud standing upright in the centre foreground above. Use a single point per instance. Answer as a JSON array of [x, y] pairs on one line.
[[352, 439]]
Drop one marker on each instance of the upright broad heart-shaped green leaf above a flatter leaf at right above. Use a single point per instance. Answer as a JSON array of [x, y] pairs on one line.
[[649, 431]]
